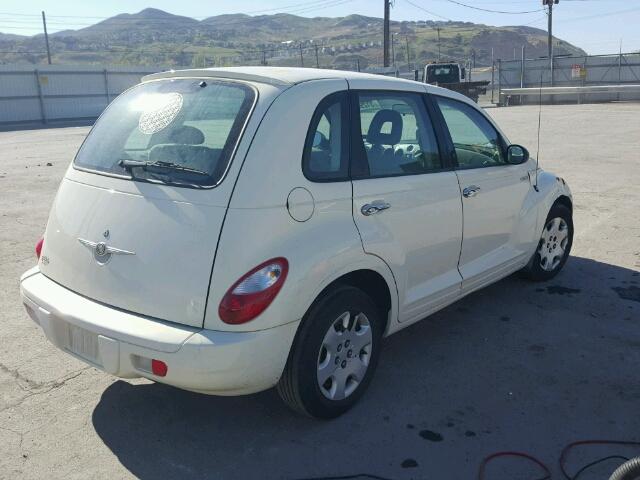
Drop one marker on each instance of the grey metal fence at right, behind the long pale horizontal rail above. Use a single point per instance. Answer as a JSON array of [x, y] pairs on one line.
[[621, 69]]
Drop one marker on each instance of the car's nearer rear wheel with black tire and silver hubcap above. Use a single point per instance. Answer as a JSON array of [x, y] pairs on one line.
[[334, 355]]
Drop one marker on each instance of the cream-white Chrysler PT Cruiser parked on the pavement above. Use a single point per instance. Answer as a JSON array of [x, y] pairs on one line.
[[228, 230]]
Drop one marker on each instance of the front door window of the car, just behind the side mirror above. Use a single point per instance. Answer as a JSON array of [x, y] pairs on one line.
[[476, 142]]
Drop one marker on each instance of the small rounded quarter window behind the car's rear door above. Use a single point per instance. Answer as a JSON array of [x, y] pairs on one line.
[[325, 155]]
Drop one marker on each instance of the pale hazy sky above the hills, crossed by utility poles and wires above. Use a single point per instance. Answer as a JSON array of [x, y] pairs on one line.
[[597, 26]]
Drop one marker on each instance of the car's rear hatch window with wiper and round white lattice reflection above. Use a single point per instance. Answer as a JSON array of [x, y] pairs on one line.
[[178, 131]]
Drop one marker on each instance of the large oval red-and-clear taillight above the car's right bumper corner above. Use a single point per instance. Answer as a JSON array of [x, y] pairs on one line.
[[254, 292]]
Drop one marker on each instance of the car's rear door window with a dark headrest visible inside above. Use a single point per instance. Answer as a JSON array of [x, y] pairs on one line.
[[397, 134]]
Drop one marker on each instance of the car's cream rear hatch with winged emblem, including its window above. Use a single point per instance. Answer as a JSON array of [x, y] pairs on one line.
[[137, 218]]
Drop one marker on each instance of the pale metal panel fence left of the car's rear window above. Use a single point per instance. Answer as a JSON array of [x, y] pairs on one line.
[[52, 94]]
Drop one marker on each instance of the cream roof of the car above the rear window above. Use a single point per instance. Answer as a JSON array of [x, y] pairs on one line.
[[282, 76]]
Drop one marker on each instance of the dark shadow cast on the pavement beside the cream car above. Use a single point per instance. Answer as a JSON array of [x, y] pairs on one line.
[[518, 365]]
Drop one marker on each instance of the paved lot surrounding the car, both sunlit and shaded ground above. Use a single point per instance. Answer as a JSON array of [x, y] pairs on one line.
[[518, 366]]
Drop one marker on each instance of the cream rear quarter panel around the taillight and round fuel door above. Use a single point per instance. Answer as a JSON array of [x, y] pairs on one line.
[[258, 225]]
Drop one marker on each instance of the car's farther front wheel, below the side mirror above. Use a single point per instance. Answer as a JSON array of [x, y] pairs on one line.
[[553, 247]]
